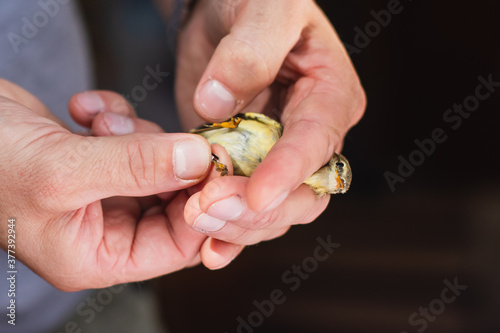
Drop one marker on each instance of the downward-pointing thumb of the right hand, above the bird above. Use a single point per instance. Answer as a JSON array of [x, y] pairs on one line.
[[248, 59]]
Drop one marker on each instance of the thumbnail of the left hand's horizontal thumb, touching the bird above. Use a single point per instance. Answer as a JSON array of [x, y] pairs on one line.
[[191, 159]]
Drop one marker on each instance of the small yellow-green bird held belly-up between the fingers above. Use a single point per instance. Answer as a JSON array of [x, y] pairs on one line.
[[248, 138]]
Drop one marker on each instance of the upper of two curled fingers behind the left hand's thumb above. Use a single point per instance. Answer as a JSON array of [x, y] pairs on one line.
[[84, 107]]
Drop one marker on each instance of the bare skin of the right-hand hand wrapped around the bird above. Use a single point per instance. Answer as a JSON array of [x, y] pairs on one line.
[[280, 55]]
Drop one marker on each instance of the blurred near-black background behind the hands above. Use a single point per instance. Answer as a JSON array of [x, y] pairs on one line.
[[397, 247]]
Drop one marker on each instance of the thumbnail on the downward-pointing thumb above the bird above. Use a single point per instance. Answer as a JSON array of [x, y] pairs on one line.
[[215, 100]]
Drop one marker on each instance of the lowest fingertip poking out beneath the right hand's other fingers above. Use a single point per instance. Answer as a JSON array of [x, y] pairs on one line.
[[216, 254]]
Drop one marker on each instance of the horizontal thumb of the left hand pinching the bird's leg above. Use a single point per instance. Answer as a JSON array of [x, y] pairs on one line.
[[87, 169]]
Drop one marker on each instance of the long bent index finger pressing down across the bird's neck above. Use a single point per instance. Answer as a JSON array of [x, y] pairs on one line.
[[321, 108]]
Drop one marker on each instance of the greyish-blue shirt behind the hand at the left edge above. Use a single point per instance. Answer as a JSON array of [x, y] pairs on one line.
[[42, 49]]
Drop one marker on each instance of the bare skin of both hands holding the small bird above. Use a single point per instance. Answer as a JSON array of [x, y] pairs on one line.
[[95, 221]]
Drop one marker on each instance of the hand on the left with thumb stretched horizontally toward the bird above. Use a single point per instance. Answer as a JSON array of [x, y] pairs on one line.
[[53, 182]]
